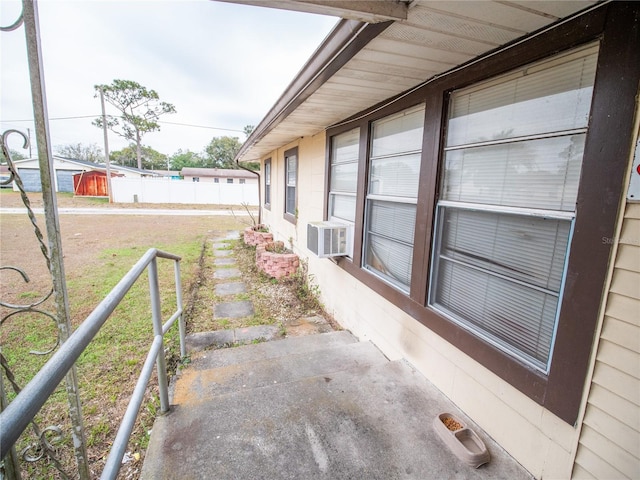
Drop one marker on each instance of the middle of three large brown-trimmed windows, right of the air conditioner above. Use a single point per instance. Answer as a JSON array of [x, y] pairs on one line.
[[394, 168]]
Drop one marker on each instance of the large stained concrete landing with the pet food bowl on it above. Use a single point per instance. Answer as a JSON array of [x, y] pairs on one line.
[[369, 422]]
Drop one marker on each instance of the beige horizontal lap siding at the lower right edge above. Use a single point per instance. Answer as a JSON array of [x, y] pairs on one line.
[[609, 445]]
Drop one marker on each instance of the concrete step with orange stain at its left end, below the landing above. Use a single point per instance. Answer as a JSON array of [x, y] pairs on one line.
[[197, 385]]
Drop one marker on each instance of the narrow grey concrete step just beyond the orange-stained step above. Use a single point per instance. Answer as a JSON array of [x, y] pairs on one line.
[[265, 350]]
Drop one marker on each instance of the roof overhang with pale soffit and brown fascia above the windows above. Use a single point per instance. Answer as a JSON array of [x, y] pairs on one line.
[[361, 64]]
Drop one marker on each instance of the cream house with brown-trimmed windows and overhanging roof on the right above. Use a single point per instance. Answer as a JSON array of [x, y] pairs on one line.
[[482, 153]]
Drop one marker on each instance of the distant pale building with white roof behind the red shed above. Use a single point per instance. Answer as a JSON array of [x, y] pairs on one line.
[[65, 169]]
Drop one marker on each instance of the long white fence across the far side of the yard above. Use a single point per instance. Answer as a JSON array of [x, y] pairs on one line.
[[164, 190]]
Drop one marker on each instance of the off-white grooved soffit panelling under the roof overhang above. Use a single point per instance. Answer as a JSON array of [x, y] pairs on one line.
[[435, 37]]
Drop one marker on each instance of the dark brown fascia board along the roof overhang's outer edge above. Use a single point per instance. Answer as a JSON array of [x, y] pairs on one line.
[[346, 39]]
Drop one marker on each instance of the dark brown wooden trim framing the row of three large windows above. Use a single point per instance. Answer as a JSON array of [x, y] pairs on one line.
[[606, 155]]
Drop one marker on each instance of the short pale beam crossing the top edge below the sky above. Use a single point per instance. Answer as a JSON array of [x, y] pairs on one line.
[[370, 11]]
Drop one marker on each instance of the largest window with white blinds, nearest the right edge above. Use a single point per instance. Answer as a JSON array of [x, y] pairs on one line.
[[512, 162]]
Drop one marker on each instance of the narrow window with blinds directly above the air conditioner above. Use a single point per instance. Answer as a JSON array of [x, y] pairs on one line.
[[345, 151]]
